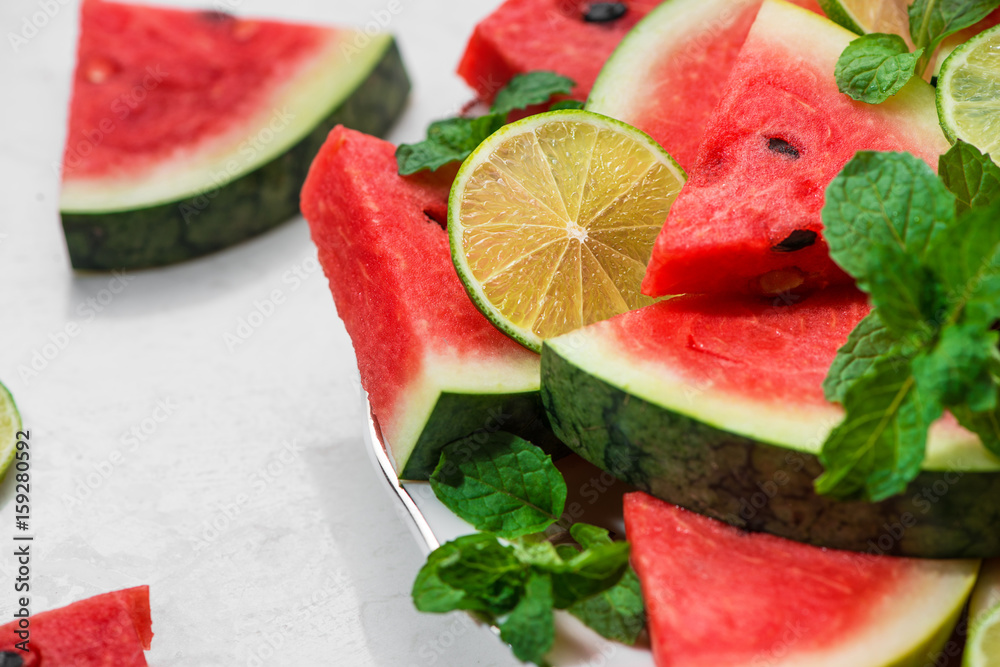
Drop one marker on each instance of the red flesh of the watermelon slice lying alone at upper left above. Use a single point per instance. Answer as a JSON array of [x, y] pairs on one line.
[[181, 79]]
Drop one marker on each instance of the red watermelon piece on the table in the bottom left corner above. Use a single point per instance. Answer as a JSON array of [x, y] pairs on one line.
[[109, 629]]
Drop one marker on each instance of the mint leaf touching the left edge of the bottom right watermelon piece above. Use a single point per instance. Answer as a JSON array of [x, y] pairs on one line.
[[618, 614]]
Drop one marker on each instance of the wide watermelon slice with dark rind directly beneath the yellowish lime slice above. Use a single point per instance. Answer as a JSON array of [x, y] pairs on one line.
[[716, 403]]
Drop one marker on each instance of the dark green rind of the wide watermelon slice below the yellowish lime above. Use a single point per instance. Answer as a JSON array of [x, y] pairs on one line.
[[756, 485]]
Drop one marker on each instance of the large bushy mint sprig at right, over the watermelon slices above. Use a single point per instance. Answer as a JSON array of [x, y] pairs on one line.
[[930, 262]]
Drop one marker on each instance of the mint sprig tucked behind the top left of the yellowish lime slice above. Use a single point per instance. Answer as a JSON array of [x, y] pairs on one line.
[[453, 139]]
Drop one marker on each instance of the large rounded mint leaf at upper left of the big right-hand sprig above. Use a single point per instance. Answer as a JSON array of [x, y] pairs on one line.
[[883, 199]]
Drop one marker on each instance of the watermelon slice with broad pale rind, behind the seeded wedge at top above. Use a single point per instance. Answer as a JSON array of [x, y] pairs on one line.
[[668, 75]]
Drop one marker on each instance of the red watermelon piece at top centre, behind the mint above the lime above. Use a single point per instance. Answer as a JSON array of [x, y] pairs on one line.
[[554, 35]]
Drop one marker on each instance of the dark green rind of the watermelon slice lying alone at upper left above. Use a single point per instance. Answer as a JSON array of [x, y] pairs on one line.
[[239, 209]]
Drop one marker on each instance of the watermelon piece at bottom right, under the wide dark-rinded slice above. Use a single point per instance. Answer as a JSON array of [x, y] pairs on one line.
[[719, 597]]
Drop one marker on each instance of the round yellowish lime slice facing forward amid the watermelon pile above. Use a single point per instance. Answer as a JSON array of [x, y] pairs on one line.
[[552, 221]]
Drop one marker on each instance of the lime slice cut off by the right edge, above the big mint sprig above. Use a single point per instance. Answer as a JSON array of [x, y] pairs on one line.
[[968, 94]]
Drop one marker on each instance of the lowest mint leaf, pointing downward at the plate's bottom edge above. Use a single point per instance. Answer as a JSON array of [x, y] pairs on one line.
[[530, 629]]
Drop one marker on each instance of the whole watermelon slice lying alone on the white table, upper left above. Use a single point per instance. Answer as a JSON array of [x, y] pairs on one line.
[[192, 130]]
